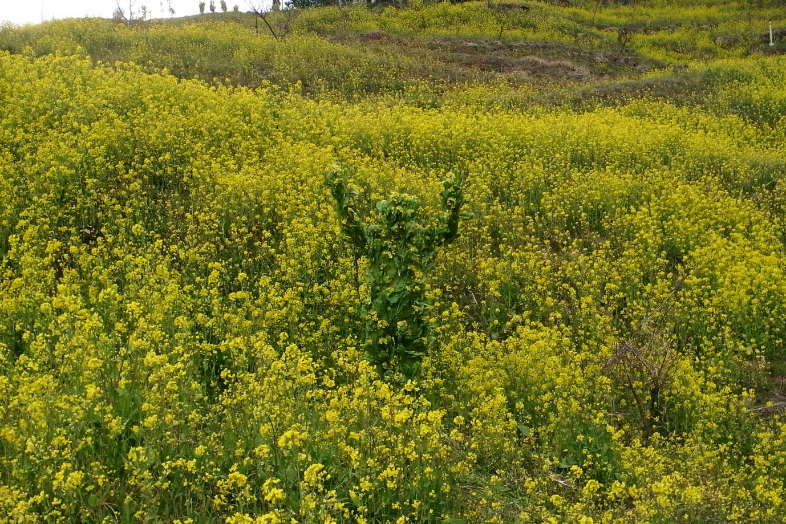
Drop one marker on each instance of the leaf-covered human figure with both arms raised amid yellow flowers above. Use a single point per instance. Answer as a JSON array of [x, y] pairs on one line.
[[399, 251]]
